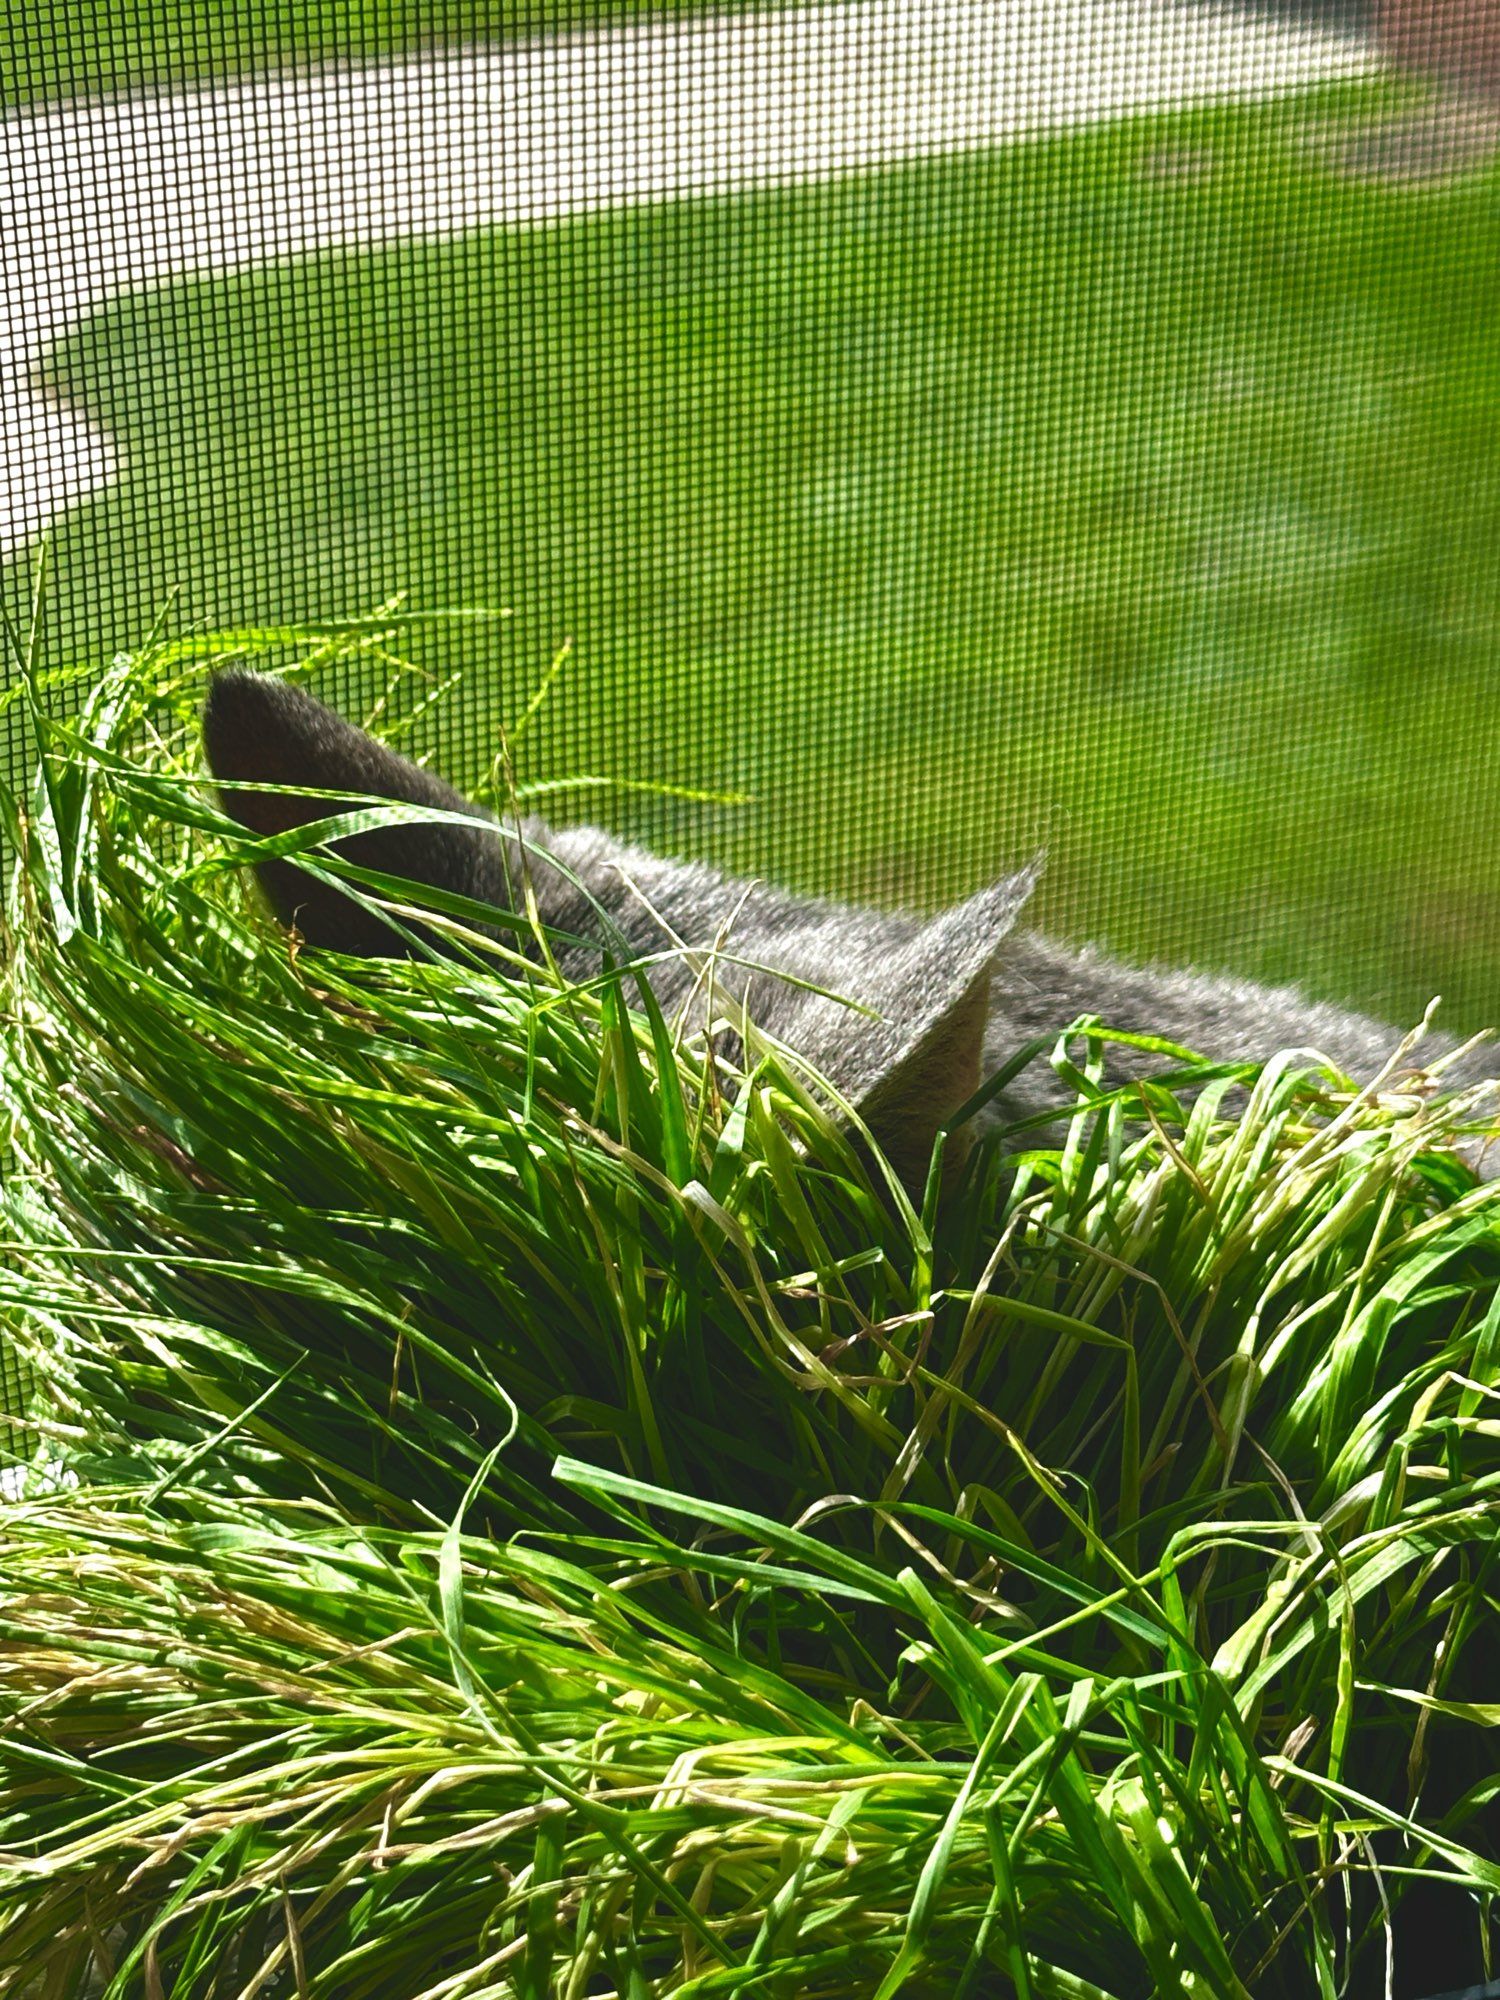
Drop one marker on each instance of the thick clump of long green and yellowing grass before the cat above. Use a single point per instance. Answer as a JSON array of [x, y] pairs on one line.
[[527, 1507]]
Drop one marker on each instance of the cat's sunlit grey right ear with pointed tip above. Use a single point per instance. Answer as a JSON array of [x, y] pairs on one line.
[[909, 1071]]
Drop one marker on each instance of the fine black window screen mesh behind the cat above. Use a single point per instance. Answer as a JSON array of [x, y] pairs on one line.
[[961, 429]]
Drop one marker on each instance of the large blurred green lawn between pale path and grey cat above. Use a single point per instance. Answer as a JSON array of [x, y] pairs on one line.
[[1129, 493]]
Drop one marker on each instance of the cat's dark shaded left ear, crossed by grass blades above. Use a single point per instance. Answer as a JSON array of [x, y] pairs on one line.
[[263, 733]]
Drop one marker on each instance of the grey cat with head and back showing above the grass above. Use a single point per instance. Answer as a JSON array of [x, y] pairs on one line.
[[951, 997]]
